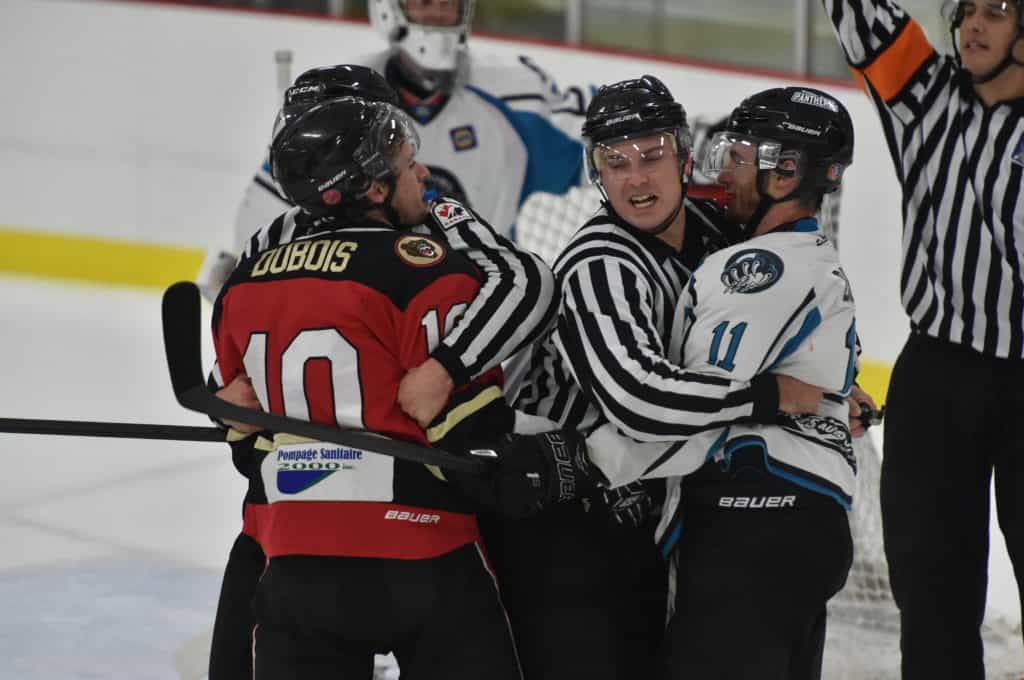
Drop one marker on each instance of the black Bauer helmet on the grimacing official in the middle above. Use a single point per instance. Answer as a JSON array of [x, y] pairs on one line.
[[630, 110]]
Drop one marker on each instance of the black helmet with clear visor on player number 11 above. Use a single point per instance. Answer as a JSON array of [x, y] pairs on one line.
[[805, 127]]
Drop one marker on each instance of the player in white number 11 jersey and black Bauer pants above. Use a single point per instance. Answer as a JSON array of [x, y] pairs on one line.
[[757, 530]]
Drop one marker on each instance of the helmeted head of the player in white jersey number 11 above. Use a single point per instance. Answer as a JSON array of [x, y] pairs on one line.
[[795, 143]]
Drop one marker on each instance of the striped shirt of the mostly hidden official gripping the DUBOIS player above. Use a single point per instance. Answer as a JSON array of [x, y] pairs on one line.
[[516, 305]]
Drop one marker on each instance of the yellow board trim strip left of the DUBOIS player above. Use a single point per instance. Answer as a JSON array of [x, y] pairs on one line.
[[95, 260]]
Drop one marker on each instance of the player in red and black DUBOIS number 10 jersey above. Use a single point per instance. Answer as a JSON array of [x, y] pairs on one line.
[[388, 557]]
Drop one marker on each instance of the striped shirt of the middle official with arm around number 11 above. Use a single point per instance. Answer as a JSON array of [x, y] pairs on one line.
[[605, 361]]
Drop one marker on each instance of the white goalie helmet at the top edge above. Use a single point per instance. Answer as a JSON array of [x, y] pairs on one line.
[[433, 48]]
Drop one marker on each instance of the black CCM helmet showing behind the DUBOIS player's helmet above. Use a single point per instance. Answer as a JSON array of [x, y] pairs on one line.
[[318, 86]]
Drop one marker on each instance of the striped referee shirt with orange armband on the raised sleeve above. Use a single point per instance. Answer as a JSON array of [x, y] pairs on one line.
[[960, 164]]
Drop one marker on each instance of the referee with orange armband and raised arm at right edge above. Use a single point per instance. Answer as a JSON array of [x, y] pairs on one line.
[[956, 132]]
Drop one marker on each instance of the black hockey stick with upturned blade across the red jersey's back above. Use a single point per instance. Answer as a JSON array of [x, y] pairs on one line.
[[185, 359]]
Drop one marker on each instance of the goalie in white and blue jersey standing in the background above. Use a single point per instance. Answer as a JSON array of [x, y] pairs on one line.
[[494, 131]]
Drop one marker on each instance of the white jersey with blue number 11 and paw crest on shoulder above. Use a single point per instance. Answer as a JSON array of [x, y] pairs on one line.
[[778, 304]]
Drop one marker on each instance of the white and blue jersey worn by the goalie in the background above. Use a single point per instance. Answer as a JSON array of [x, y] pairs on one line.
[[505, 133]]
